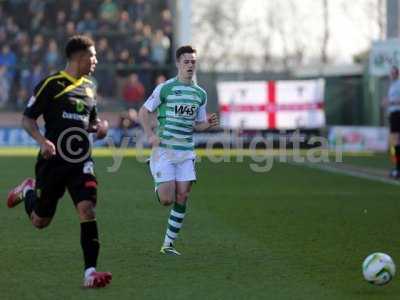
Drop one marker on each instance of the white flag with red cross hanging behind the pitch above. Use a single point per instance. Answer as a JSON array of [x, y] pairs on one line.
[[272, 105]]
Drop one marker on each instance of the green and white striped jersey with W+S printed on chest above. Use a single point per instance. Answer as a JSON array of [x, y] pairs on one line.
[[179, 106]]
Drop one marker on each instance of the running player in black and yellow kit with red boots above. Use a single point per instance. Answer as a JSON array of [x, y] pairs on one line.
[[66, 100]]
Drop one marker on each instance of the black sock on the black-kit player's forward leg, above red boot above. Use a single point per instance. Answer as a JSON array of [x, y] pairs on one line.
[[90, 243]]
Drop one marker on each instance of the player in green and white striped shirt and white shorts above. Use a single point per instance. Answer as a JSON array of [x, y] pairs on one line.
[[180, 106]]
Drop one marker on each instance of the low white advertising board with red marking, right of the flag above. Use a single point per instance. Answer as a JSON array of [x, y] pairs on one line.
[[359, 138]]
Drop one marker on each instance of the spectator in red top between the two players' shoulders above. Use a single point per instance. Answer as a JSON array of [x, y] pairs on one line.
[[133, 92]]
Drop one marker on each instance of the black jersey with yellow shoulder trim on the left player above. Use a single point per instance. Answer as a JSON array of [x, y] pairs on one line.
[[64, 102]]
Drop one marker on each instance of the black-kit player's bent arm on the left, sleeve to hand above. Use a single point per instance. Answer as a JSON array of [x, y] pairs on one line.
[[36, 106]]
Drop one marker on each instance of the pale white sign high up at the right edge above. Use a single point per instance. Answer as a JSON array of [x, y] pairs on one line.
[[383, 55]]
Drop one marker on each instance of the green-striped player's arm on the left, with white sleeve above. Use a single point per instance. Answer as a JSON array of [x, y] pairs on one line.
[[146, 116]]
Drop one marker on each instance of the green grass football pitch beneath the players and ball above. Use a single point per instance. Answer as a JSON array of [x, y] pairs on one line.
[[291, 233]]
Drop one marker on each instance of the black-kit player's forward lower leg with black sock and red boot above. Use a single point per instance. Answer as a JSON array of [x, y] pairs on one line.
[[91, 246]]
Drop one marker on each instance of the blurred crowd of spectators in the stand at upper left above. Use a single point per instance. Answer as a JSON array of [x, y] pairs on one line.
[[133, 43]]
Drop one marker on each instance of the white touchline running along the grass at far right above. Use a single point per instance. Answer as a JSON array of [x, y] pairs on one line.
[[342, 171]]
